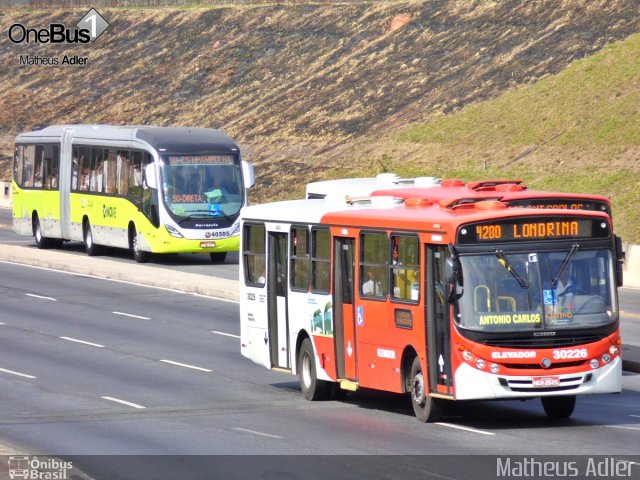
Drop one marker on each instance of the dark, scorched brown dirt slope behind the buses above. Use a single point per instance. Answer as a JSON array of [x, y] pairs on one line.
[[292, 82]]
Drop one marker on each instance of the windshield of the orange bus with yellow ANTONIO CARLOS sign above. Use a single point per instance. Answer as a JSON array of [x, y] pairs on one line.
[[516, 291]]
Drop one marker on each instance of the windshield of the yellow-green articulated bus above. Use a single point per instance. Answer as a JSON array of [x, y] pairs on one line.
[[201, 186]]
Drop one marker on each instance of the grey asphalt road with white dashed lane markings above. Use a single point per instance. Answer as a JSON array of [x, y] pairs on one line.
[[90, 367]]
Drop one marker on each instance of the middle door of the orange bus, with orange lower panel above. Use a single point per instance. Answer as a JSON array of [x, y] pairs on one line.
[[344, 321]]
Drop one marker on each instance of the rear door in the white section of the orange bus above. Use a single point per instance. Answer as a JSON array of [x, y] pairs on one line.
[[277, 300]]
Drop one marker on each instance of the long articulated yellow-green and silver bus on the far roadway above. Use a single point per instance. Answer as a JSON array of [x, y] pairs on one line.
[[146, 189]]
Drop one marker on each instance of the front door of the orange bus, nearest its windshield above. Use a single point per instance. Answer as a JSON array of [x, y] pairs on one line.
[[438, 327]]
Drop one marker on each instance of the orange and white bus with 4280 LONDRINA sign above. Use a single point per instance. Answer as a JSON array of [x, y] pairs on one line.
[[441, 300]]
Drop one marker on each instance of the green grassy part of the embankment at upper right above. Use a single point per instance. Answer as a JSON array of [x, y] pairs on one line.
[[577, 131]]
